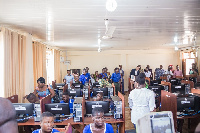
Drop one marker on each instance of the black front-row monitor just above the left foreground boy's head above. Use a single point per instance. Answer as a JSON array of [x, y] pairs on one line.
[[58, 108]]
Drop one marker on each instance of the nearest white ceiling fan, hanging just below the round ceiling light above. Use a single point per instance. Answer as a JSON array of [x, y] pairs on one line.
[[109, 30]]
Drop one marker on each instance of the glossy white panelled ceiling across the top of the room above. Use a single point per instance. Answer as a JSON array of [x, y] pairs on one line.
[[77, 24]]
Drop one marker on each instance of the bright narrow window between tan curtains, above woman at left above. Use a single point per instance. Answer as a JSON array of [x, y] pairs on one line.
[[50, 65]]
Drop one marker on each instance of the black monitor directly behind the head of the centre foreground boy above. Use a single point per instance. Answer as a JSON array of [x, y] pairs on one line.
[[89, 105]]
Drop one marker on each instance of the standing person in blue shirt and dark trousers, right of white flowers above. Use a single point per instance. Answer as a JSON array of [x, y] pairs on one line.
[[116, 78]]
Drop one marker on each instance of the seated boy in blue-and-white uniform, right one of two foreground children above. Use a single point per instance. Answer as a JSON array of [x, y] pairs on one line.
[[98, 125]]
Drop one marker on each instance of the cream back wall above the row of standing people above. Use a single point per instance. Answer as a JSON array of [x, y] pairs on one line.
[[128, 58]]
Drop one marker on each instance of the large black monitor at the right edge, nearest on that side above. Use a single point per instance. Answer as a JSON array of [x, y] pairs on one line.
[[185, 103]]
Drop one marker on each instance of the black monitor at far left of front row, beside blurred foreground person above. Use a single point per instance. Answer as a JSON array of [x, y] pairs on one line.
[[24, 108]]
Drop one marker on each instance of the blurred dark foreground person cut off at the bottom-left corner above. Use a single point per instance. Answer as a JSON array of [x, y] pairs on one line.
[[8, 123]]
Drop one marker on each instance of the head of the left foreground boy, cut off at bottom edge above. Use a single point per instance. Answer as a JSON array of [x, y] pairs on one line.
[[47, 122]]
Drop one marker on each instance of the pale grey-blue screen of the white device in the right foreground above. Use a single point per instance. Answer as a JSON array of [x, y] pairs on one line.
[[161, 124]]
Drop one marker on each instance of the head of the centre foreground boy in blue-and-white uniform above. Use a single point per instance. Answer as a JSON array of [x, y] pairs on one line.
[[98, 117]]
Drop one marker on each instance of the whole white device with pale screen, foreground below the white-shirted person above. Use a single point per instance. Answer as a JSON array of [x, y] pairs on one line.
[[156, 122]]
